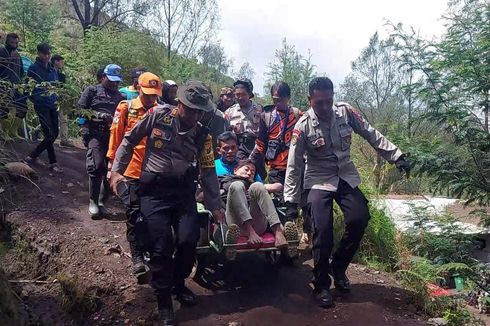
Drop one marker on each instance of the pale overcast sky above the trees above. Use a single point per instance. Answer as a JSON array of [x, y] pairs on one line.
[[334, 31]]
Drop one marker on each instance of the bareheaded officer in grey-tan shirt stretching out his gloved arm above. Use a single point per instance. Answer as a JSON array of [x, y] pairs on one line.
[[323, 134]]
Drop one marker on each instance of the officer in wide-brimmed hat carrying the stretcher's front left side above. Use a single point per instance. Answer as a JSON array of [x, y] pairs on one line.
[[176, 143]]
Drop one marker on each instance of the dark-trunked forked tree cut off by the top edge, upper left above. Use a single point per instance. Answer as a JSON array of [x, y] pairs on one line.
[[102, 12]]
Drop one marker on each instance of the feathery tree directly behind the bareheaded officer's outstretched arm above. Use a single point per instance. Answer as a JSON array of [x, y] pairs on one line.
[[375, 88]]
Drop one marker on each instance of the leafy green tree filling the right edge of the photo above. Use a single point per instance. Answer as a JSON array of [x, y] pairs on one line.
[[455, 90]]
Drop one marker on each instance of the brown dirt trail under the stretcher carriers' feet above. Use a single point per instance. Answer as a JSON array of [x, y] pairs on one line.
[[54, 219]]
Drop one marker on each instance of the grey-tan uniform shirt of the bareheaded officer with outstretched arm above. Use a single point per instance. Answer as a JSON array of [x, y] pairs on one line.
[[327, 151]]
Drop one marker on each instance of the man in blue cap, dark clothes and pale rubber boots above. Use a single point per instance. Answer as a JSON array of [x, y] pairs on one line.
[[101, 101]]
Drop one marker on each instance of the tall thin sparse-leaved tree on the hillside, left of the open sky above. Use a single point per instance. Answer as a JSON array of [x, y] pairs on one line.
[[185, 25]]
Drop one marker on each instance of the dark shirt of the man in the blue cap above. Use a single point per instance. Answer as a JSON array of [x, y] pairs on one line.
[[100, 99]]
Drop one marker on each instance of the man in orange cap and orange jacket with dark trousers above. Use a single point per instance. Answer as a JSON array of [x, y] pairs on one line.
[[128, 113]]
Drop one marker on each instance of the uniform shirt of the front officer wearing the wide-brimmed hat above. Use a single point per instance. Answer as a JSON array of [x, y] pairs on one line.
[[171, 152]]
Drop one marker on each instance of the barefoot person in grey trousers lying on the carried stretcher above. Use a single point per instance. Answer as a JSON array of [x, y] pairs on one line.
[[250, 207]]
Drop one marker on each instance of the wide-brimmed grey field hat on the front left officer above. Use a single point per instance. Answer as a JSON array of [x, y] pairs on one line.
[[195, 96]]
